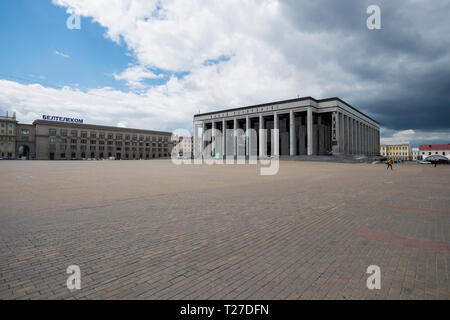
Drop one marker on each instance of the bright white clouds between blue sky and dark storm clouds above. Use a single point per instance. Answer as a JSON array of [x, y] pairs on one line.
[[268, 58]]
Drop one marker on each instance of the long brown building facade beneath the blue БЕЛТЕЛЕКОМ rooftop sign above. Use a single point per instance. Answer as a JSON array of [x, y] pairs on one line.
[[64, 141]]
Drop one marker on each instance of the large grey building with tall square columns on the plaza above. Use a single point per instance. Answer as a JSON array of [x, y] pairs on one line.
[[306, 126]]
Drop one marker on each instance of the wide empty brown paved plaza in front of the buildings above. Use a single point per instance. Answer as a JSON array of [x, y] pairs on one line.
[[153, 230]]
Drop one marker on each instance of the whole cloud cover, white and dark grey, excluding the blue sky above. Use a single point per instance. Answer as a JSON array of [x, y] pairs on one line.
[[264, 51]]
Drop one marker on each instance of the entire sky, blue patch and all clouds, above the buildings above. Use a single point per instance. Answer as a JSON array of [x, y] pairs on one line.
[[153, 64]]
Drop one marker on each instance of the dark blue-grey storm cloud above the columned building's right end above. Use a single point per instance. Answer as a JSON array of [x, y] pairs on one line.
[[401, 74]]
